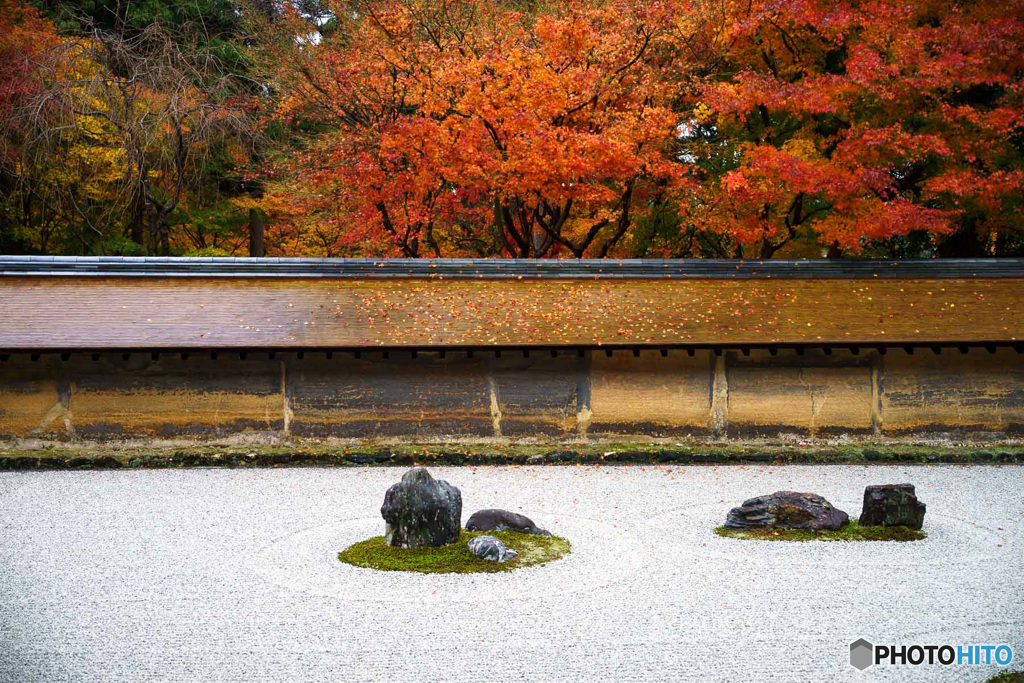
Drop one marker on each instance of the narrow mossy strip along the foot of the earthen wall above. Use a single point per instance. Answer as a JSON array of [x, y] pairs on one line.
[[639, 454]]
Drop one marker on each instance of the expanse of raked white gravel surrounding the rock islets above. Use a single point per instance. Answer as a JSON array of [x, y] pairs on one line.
[[216, 575]]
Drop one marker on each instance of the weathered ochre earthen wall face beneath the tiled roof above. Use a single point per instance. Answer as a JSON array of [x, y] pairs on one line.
[[979, 394]]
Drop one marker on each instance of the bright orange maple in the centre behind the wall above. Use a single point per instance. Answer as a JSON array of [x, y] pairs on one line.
[[479, 129]]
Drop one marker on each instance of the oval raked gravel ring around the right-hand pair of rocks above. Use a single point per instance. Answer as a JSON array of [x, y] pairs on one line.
[[950, 541]]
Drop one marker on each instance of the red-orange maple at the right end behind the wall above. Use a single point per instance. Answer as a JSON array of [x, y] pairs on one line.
[[860, 121]]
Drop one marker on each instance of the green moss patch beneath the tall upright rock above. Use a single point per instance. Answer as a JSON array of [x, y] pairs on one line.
[[455, 559]]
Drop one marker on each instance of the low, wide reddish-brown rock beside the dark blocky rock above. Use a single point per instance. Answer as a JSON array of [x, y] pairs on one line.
[[787, 509]]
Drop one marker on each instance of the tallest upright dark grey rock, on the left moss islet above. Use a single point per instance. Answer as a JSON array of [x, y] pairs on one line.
[[421, 511]]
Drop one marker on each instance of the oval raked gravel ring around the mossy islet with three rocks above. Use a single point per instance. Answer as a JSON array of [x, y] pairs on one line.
[[308, 561]]
